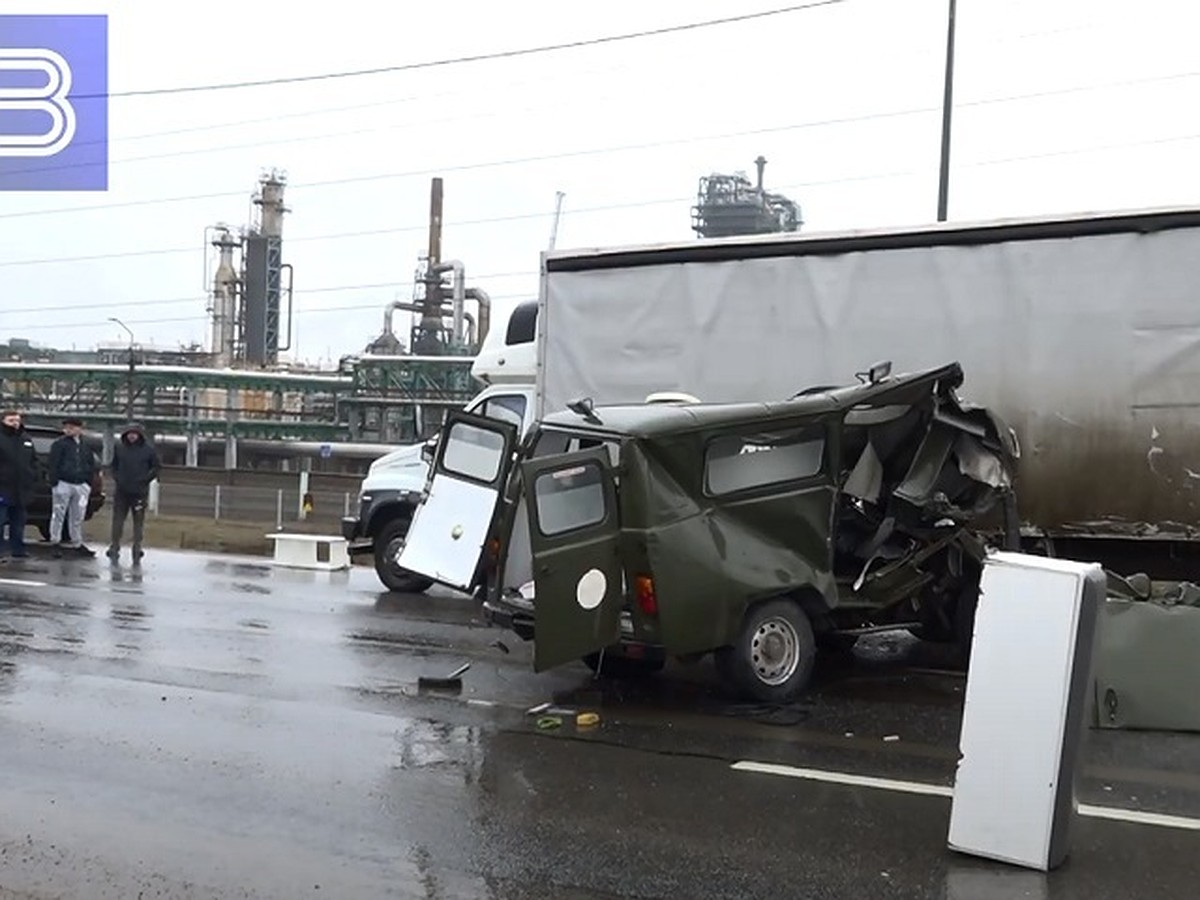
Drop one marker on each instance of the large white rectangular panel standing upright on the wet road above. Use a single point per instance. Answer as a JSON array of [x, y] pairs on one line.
[[1027, 710]]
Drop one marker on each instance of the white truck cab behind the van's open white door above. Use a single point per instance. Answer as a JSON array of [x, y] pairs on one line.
[[394, 484]]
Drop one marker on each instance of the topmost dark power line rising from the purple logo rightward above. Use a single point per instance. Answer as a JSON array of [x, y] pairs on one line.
[[475, 58]]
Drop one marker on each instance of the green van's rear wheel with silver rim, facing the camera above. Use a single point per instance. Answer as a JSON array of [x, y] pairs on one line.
[[773, 657]]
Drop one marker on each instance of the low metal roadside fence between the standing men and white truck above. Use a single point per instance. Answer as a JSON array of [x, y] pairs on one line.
[[251, 505]]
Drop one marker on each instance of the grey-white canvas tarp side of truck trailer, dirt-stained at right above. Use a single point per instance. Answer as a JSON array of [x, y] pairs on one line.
[[1083, 333]]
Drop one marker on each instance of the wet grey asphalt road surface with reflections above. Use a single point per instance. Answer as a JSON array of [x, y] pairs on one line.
[[209, 728]]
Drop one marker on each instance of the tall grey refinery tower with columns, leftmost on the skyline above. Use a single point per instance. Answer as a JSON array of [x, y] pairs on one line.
[[250, 284]]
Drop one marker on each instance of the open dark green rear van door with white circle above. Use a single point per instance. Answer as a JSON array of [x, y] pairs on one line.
[[574, 531]]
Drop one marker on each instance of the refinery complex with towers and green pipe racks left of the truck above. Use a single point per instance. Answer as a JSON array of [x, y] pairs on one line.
[[235, 405]]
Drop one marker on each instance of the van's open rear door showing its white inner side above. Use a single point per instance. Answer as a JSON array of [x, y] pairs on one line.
[[471, 467]]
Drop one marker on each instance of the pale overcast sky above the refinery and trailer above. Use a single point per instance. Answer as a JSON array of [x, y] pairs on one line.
[[1060, 105]]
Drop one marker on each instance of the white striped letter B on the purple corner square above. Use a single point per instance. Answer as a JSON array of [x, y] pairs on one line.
[[50, 99]]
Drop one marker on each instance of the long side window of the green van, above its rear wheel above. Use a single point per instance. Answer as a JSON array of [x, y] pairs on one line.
[[741, 463]]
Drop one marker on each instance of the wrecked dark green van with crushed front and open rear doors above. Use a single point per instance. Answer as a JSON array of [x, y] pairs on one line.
[[626, 536]]
